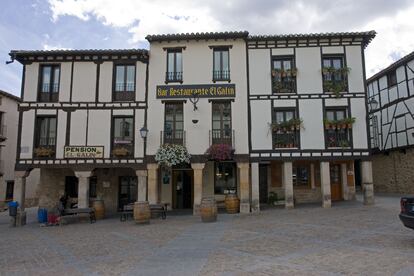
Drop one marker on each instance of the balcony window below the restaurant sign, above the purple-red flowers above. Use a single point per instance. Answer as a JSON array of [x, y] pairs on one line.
[[221, 114]]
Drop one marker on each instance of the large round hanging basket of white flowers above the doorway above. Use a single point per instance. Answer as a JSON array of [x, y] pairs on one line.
[[171, 154]]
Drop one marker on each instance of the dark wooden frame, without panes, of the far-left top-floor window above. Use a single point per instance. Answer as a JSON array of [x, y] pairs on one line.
[[49, 96]]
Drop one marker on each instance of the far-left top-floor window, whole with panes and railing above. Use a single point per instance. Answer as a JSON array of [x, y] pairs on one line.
[[49, 83]]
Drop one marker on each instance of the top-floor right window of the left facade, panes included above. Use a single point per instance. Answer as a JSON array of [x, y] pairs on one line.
[[124, 82]]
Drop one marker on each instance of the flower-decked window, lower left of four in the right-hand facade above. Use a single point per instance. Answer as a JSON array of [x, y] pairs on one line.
[[285, 132]]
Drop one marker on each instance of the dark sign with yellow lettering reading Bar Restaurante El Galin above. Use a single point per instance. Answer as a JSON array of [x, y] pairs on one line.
[[200, 90]]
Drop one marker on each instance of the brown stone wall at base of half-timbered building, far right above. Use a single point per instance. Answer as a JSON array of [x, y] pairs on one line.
[[394, 173]]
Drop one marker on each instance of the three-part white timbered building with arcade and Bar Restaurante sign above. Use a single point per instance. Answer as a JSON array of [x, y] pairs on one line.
[[292, 109]]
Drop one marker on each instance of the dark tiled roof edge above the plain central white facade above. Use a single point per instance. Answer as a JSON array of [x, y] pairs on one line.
[[195, 36]]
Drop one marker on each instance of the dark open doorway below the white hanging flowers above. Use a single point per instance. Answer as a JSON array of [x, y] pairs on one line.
[[182, 184]]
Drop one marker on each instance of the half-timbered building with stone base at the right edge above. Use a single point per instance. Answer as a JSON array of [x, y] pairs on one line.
[[391, 98]]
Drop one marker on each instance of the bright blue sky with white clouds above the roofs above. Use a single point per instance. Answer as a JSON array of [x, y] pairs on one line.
[[123, 24]]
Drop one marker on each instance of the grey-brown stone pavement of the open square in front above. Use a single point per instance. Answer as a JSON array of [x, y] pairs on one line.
[[348, 239]]
